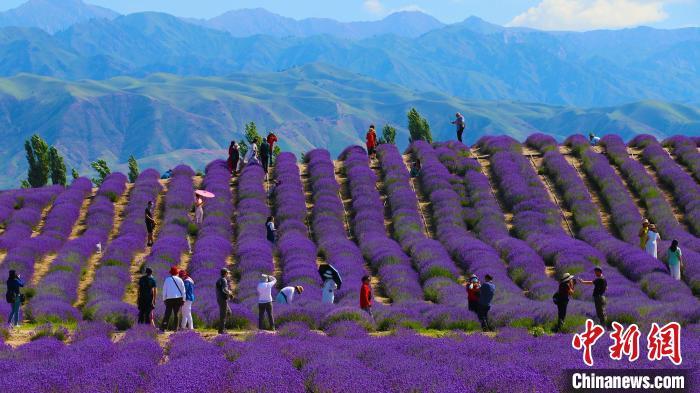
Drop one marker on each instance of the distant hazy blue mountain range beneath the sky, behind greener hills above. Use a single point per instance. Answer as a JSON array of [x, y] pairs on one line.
[[472, 60]]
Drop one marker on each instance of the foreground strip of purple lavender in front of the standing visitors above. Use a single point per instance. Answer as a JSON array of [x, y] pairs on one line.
[[299, 360]]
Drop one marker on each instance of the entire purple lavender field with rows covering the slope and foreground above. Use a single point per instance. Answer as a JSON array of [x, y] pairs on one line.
[[523, 212]]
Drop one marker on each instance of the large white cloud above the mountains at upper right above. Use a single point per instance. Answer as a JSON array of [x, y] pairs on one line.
[[590, 14]]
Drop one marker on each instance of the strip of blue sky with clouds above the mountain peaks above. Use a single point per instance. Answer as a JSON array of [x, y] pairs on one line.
[[544, 14]]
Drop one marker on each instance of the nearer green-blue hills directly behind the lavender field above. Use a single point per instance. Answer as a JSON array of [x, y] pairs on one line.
[[164, 119]]
